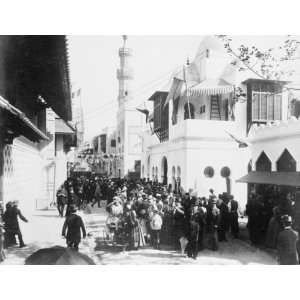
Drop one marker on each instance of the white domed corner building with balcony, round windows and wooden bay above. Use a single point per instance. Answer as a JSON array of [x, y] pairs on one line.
[[191, 144]]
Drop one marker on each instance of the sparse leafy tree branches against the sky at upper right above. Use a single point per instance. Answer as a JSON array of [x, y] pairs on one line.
[[266, 64]]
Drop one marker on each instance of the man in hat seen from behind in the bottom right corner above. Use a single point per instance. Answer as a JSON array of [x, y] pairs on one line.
[[287, 243]]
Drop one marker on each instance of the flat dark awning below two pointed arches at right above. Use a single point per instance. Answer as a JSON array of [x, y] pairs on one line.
[[273, 178]]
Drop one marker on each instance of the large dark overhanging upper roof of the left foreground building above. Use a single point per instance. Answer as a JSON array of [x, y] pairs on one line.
[[42, 65]]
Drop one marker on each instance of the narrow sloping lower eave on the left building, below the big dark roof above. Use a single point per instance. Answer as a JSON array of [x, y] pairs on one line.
[[20, 124]]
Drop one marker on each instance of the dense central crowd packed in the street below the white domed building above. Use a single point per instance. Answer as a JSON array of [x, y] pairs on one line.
[[149, 213]]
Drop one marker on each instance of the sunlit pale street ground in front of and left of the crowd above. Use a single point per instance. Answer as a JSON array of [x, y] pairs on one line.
[[44, 228]]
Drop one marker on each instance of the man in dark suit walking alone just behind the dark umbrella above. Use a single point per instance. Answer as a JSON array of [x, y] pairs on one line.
[[73, 224]]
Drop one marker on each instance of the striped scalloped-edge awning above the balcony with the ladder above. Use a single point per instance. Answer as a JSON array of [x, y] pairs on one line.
[[211, 87]]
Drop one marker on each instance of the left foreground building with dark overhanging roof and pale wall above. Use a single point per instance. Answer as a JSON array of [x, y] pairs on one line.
[[34, 83]]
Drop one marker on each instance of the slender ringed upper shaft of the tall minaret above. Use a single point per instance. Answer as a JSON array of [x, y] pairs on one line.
[[125, 73]]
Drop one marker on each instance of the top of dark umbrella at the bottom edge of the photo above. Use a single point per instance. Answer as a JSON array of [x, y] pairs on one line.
[[58, 255]]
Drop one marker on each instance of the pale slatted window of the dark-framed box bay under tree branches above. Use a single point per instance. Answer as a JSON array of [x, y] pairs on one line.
[[266, 106]]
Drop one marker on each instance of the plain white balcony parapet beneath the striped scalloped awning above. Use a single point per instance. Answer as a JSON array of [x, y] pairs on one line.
[[202, 129]]
